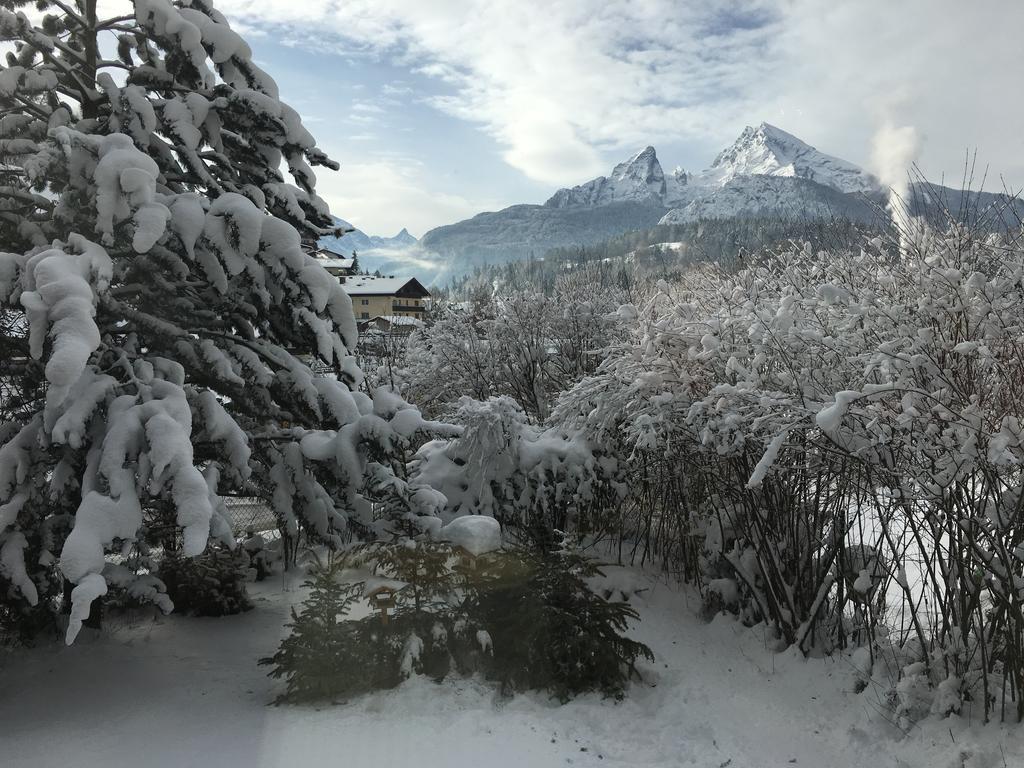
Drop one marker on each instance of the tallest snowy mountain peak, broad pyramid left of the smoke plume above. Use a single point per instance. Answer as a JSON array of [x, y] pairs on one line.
[[767, 151]]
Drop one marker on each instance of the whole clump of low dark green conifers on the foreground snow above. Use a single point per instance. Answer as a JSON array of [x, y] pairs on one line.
[[525, 619]]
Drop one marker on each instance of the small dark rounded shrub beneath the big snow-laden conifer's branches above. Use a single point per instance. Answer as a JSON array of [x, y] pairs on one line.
[[212, 584]]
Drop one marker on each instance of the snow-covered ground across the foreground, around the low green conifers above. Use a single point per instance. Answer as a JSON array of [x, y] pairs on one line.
[[188, 693]]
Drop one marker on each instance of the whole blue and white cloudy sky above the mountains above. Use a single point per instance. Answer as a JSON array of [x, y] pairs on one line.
[[441, 109]]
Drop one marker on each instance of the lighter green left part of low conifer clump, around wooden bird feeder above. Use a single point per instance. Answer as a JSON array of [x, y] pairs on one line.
[[428, 632]]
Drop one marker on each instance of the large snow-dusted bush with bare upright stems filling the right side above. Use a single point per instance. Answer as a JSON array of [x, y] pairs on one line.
[[826, 440]]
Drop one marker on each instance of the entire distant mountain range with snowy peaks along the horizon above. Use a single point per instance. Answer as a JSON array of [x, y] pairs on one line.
[[765, 173]]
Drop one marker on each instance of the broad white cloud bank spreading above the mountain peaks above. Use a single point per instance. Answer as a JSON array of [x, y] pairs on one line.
[[559, 82]]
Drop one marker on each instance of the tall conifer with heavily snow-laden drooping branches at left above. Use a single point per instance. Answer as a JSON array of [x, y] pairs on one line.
[[163, 315]]
